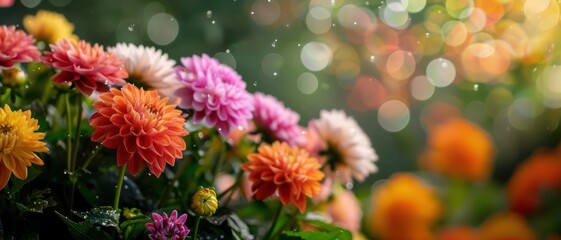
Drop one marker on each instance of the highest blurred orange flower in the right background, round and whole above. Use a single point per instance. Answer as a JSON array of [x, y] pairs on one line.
[[459, 149]]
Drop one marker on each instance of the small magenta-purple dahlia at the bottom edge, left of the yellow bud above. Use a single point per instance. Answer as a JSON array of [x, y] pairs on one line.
[[164, 227]]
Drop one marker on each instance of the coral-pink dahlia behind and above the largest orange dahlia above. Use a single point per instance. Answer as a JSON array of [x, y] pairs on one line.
[[88, 68]]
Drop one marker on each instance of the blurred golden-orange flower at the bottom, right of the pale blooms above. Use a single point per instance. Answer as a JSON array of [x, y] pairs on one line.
[[403, 208]]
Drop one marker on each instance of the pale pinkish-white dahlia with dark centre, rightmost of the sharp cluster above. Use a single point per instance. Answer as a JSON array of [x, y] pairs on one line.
[[348, 148]]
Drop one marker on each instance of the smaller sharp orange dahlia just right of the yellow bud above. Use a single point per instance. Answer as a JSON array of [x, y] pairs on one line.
[[289, 171]]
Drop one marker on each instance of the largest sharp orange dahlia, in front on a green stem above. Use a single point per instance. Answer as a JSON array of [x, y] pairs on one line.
[[141, 126]]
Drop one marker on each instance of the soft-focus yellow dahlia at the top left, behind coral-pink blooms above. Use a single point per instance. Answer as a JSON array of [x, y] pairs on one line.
[[49, 26]]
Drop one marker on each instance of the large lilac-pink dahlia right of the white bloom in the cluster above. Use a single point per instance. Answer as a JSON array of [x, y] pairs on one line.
[[215, 92]]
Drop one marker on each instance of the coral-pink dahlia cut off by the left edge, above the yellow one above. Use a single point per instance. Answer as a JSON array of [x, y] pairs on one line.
[[16, 47]]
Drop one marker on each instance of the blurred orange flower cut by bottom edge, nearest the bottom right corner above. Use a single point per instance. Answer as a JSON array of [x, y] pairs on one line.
[[506, 225]]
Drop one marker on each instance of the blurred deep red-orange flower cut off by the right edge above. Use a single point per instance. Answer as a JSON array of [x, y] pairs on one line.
[[541, 171]]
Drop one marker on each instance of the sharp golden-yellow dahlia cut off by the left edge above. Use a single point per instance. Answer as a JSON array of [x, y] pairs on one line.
[[18, 144]]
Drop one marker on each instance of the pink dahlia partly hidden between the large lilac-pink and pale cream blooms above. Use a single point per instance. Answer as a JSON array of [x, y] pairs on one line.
[[276, 122]]
